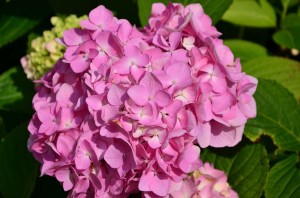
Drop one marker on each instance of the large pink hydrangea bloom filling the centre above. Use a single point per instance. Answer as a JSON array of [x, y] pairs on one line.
[[125, 109]]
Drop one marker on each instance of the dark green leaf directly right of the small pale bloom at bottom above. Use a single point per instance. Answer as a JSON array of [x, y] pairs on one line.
[[246, 165]]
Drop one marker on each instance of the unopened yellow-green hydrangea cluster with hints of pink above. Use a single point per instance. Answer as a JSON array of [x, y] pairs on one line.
[[44, 51]]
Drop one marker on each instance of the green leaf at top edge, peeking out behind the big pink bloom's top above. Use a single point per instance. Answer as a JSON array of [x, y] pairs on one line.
[[215, 9]]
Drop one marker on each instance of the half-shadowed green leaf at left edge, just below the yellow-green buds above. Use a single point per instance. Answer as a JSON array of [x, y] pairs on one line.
[[16, 91]]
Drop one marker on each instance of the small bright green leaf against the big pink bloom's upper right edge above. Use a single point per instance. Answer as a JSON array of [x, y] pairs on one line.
[[246, 50]]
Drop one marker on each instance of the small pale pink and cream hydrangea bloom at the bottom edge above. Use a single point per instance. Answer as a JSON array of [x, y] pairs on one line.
[[205, 182]]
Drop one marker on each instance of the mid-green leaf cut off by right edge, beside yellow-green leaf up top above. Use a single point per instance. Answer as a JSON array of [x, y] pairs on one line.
[[288, 36]]
